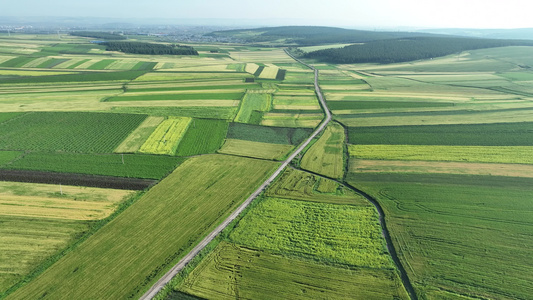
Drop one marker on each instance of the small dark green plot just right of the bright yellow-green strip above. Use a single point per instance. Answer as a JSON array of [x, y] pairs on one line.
[[203, 136]]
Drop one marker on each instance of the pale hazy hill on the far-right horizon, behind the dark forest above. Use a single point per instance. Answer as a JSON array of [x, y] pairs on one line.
[[519, 33]]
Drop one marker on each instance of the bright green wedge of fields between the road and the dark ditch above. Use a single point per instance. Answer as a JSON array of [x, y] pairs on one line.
[[285, 246]]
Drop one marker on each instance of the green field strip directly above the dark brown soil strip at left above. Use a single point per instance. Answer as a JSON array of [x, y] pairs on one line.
[[135, 165]]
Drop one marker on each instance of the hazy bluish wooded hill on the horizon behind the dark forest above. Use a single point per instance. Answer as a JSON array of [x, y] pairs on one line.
[[311, 35]]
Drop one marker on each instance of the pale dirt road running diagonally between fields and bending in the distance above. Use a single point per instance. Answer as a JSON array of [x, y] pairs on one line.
[[185, 260]]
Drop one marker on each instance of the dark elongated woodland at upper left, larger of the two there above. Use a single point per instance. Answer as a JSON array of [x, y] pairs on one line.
[[149, 48]]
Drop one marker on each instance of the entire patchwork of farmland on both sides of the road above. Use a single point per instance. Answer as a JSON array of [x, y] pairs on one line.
[[443, 146]]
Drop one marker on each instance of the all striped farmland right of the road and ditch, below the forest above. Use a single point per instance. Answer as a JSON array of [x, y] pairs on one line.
[[443, 145]]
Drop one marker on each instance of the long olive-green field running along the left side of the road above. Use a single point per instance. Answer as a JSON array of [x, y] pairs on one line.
[[125, 257]]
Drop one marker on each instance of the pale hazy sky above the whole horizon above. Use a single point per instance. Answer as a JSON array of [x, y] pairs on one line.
[[349, 13]]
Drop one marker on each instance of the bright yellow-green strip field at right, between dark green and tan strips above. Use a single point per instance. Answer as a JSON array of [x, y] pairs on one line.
[[488, 154]]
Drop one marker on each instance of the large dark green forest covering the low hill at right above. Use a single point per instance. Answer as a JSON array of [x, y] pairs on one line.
[[407, 49]]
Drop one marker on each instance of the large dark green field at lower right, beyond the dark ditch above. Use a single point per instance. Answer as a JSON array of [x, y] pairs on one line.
[[459, 235]]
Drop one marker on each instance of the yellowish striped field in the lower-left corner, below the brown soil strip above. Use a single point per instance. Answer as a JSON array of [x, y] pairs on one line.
[[39, 220]]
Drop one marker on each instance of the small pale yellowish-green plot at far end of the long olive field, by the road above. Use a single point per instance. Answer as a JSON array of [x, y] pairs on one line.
[[255, 149]]
